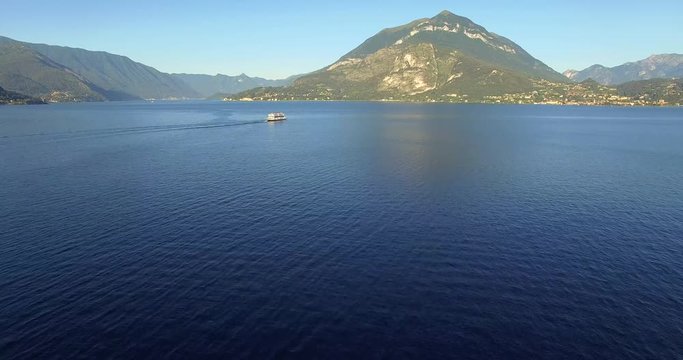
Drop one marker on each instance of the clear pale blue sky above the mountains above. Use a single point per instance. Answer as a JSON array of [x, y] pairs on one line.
[[276, 39]]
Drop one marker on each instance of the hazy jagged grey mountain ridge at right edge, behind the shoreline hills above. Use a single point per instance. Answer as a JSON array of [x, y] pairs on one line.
[[666, 66]]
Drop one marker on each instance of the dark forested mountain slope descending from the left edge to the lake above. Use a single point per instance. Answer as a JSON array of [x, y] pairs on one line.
[[57, 73]]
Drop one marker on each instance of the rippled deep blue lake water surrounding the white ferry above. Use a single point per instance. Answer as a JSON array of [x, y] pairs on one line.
[[352, 230]]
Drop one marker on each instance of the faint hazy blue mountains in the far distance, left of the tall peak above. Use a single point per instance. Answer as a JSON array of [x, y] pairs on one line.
[[207, 85]]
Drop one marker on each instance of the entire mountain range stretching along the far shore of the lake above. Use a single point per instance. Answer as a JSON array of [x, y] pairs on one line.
[[445, 58]]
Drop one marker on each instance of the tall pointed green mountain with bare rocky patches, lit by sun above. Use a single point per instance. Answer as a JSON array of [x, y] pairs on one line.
[[445, 57]]
